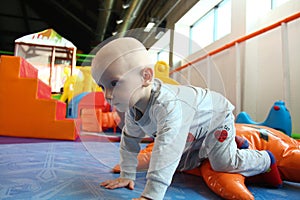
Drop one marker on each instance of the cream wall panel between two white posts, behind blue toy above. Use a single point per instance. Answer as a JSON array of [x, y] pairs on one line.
[[263, 80]]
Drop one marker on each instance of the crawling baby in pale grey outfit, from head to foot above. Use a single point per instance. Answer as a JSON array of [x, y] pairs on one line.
[[189, 124]]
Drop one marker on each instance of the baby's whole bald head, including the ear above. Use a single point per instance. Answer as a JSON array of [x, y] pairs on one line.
[[124, 68]]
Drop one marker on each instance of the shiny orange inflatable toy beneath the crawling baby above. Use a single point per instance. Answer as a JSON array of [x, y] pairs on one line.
[[232, 186]]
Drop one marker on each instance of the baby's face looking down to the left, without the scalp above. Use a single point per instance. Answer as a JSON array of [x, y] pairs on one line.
[[121, 84]]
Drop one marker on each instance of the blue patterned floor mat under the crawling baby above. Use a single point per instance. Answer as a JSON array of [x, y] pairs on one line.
[[50, 169]]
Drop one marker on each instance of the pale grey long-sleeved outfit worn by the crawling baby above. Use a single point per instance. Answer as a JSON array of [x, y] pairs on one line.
[[189, 124]]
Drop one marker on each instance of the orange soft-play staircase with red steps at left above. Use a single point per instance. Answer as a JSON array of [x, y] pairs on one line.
[[26, 107]]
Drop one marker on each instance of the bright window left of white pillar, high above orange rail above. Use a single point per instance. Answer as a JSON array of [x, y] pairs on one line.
[[215, 24]]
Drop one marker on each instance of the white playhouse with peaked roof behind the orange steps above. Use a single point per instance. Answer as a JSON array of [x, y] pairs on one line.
[[50, 53]]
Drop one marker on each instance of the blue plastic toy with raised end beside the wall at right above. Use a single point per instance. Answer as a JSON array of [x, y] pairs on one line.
[[278, 118]]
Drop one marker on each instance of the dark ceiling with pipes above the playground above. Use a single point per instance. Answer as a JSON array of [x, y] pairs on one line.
[[84, 22]]
